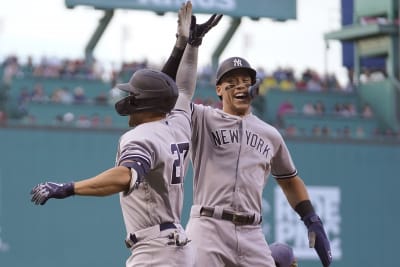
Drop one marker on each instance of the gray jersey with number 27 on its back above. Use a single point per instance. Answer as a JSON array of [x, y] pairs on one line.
[[162, 145]]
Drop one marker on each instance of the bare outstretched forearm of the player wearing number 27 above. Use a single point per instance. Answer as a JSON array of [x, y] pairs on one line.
[[109, 182]]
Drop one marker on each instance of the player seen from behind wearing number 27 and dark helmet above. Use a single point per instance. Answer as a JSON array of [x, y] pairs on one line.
[[152, 158]]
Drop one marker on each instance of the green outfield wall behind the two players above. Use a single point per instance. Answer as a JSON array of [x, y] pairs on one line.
[[353, 185]]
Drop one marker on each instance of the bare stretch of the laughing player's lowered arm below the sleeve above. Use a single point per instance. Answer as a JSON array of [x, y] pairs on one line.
[[294, 190]]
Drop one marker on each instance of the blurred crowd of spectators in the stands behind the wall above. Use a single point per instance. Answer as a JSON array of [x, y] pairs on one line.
[[77, 69]]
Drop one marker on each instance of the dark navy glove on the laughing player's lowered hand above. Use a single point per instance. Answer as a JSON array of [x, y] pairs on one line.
[[317, 238]]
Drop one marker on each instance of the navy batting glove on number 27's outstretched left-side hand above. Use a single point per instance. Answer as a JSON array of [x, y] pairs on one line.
[[42, 192]]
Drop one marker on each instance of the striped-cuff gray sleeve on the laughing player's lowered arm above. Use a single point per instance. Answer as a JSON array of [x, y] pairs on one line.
[[282, 165]]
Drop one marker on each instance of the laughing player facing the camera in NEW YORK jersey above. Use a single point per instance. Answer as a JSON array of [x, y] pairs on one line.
[[233, 153]]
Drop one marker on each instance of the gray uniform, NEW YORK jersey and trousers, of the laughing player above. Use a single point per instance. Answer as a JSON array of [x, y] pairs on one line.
[[232, 158]]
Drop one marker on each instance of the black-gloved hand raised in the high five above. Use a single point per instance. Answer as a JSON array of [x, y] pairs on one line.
[[198, 31]]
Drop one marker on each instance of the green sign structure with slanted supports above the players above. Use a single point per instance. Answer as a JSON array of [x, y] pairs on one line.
[[281, 10]]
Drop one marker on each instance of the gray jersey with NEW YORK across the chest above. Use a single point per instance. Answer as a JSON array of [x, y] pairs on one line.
[[232, 158]]
